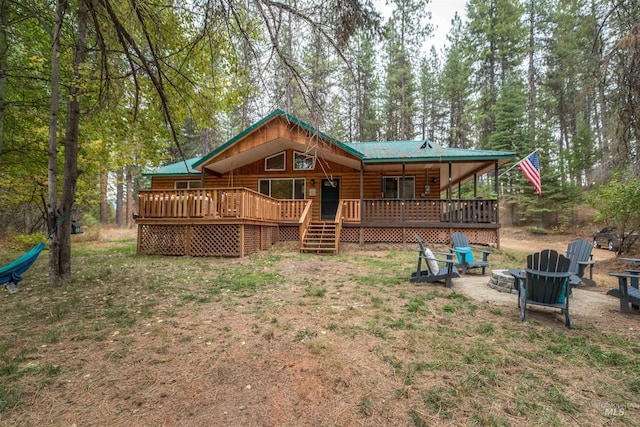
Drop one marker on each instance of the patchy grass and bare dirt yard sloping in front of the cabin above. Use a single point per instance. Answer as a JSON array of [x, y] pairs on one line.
[[280, 338]]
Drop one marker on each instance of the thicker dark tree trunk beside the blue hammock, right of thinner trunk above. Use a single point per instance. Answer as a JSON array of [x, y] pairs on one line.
[[61, 274]]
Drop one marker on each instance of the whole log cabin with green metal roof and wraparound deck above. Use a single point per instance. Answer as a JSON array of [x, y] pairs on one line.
[[282, 180]]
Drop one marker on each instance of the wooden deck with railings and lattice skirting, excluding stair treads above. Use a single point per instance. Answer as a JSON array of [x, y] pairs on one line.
[[239, 221]]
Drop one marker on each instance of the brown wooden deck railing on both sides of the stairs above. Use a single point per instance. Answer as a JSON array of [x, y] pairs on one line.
[[244, 203]]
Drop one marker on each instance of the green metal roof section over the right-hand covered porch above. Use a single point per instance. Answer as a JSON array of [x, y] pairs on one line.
[[421, 151]]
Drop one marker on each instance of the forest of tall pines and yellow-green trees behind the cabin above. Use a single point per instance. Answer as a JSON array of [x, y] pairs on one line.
[[146, 84]]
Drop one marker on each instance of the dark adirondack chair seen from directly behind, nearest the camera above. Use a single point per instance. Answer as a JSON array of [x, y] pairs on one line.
[[546, 283]]
